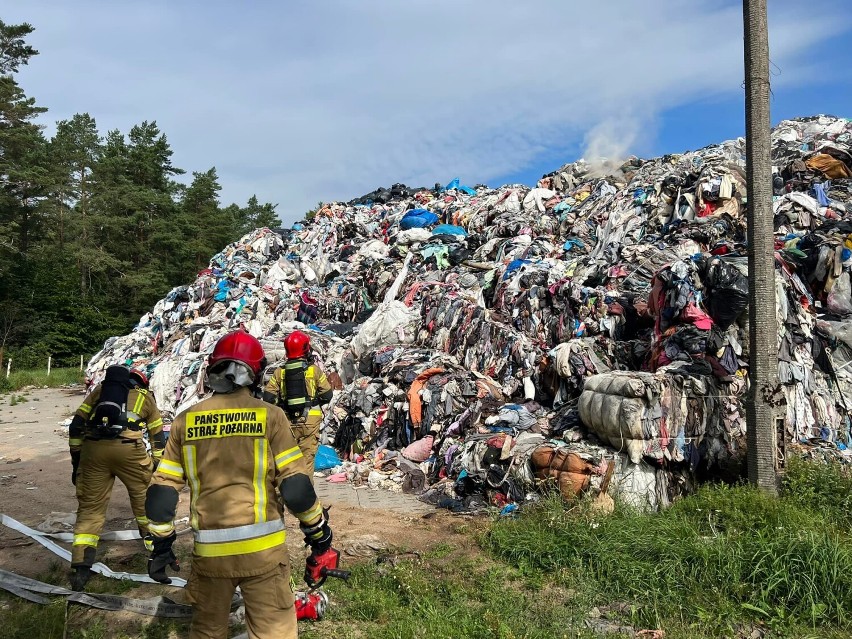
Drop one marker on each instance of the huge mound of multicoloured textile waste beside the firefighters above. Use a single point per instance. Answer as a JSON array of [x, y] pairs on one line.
[[589, 333]]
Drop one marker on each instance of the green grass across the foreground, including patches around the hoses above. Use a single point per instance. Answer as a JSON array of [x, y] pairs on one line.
[[723, 563]]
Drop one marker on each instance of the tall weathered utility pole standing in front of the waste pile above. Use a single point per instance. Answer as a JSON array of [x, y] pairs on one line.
[[763, 333]]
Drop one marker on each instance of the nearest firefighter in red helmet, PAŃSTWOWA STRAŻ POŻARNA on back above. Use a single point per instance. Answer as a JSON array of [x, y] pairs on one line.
[[235, 451]]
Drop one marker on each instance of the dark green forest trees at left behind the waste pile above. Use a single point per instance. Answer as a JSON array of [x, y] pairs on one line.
[[94, 227]]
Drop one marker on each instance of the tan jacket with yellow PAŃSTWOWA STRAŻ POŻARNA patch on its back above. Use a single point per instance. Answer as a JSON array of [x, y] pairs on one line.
[[233, 451]]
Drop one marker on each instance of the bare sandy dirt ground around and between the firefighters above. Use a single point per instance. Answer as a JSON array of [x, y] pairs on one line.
[[35, 481]]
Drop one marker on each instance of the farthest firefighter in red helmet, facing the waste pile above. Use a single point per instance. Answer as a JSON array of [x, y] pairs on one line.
[[300, 388]]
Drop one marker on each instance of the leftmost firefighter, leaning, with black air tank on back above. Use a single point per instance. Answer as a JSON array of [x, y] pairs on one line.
[[107, 440]]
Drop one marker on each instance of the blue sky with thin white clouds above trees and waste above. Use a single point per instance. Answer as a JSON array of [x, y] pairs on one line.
[[300, 102]]
